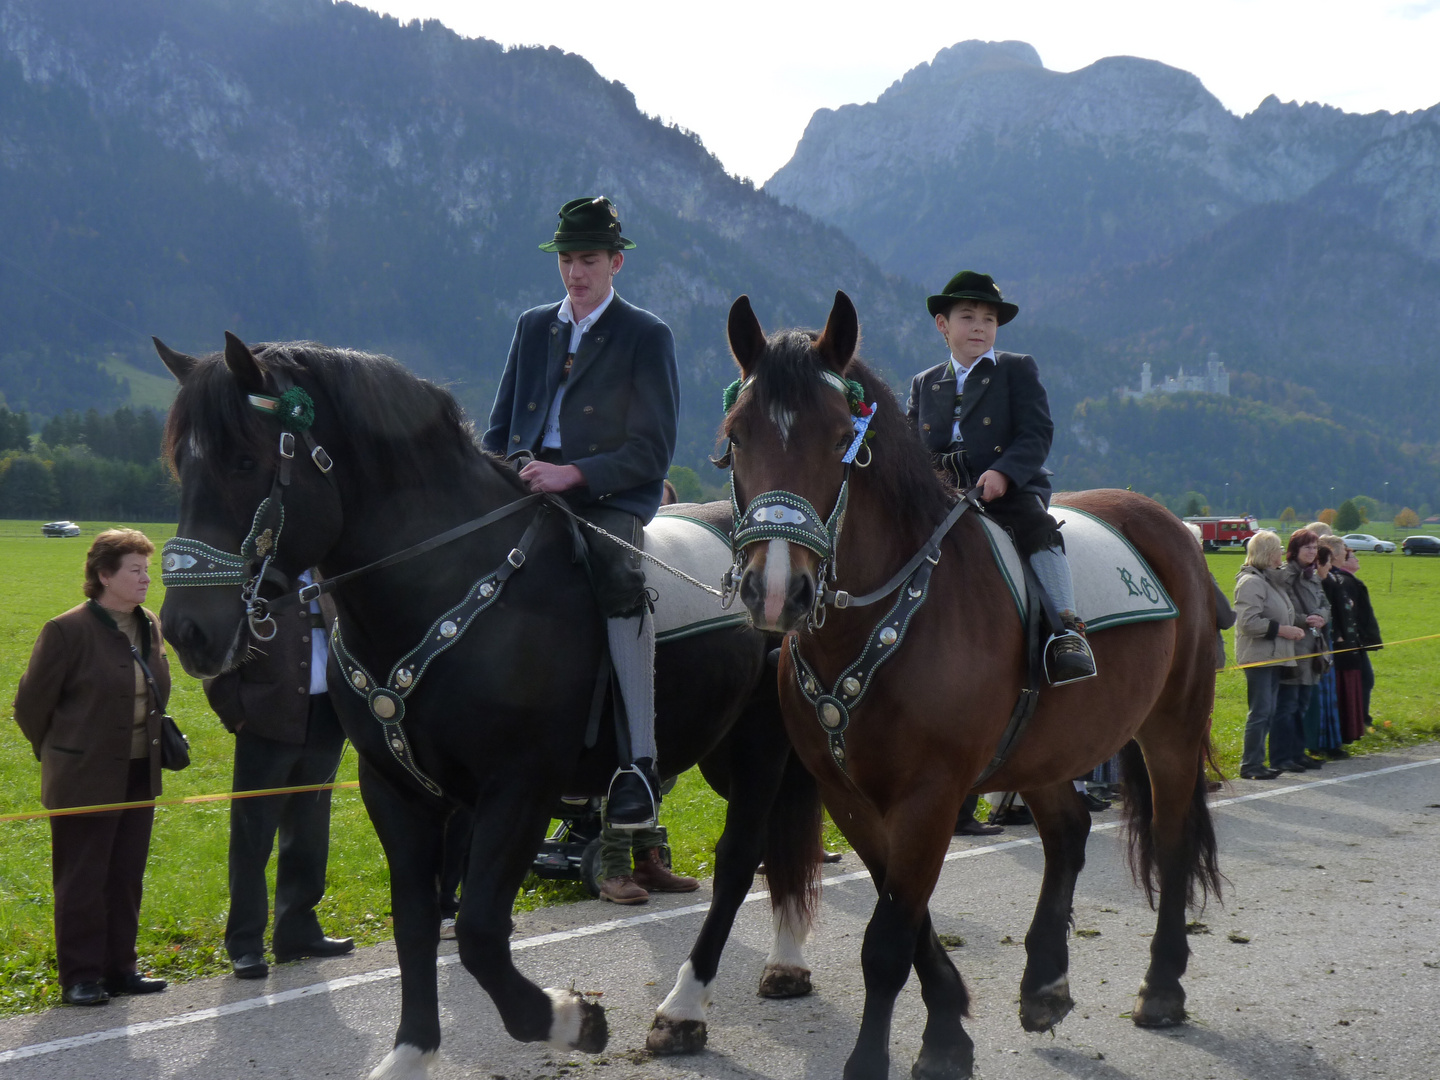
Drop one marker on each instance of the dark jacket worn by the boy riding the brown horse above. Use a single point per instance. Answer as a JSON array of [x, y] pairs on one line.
[[1004, 418]]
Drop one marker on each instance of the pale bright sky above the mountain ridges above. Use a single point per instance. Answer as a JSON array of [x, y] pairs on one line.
[[750, 76]]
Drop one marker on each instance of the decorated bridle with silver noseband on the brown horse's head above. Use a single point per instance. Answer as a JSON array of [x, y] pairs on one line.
[[786, 516]]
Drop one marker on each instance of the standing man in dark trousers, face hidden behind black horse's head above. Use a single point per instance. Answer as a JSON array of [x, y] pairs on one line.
[[286, 737]]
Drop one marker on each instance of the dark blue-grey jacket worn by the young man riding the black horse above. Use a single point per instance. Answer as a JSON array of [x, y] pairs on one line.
[[621, 408]]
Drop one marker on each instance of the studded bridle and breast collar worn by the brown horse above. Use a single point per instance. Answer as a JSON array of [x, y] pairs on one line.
[[786, 516]]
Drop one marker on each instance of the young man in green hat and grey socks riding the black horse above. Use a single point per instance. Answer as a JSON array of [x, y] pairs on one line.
[[593, 392]]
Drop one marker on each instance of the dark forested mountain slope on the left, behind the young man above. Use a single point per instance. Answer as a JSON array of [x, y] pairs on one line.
[[297, 169]]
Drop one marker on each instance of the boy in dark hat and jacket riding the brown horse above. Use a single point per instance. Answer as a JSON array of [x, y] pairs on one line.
[[986, 420]]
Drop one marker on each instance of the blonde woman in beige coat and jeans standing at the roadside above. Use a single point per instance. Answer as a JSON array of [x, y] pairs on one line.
[[1266, 633]]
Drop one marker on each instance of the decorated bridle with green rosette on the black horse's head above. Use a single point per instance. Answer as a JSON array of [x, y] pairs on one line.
[[186, 562]]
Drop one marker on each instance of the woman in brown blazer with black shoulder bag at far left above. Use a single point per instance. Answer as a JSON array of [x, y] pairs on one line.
[[94, 722]]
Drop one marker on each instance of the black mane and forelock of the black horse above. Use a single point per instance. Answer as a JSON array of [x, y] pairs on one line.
[[411, 428]]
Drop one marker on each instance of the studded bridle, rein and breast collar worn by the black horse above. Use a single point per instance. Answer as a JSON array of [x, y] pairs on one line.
[[188, 562]]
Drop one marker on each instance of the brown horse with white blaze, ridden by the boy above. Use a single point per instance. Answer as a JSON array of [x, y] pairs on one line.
[[934, 714]]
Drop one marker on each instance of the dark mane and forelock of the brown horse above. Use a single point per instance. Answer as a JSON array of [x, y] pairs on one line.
[[788, 382]]
